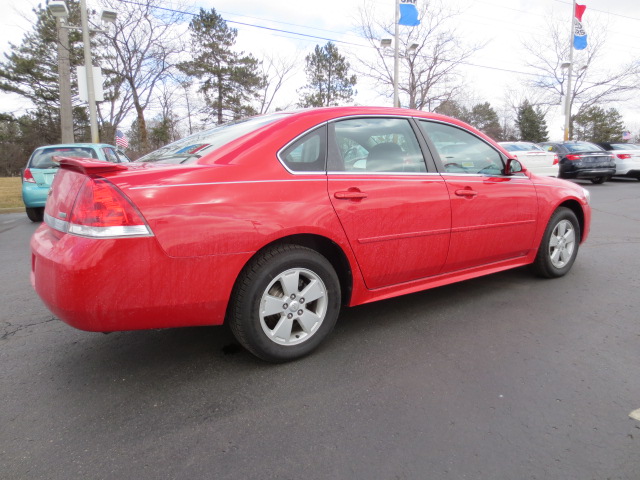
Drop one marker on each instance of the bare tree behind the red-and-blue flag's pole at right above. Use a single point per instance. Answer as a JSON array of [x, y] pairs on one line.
[[591, 84]]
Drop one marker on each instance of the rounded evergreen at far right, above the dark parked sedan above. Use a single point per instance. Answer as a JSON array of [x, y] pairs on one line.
[[597, 125]]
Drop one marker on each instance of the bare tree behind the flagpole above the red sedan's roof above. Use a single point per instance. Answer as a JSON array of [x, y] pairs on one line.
[[429, 72]]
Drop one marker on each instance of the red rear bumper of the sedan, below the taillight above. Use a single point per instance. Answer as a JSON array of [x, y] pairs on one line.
[[128, 284]]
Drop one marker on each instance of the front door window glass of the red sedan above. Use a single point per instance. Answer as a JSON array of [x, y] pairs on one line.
[[462, 152]]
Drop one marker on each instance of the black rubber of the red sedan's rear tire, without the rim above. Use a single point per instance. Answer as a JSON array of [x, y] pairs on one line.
[[245, 319]]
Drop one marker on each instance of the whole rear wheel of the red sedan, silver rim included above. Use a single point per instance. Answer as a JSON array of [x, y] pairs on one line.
[[269, 314]]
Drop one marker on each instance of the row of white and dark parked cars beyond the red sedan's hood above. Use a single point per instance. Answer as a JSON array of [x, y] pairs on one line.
[[597, 162]]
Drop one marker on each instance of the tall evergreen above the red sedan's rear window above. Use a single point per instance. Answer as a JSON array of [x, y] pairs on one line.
[[230, 80]]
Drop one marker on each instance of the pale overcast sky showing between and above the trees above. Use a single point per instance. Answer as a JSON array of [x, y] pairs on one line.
[[502, 24]]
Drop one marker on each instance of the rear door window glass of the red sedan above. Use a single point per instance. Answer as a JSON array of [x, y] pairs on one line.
[[377, 145]]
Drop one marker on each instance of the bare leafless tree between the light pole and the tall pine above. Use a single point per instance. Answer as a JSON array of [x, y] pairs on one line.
[[139, 54]]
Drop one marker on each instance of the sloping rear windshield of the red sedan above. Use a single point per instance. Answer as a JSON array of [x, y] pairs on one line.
[[195, 146]]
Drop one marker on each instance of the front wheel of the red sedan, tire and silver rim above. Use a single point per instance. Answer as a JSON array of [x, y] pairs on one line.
[[559, 246]]
